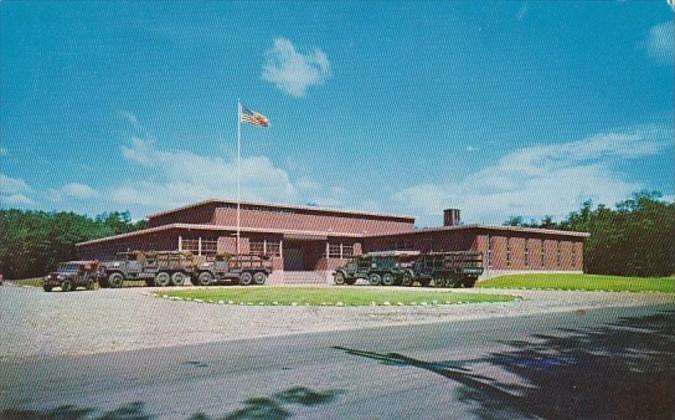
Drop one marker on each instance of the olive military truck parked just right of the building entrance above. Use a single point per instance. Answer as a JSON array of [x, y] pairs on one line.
[[385, 268]]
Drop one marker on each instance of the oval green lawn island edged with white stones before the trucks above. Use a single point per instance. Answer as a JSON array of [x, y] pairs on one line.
[[331, 296]]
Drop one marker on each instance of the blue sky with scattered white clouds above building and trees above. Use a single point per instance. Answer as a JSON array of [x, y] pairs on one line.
[[504, 108]]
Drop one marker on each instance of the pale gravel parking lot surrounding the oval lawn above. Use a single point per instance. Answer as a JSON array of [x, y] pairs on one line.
[[36, 324]]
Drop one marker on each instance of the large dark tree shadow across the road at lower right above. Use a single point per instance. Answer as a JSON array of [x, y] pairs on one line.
[[624, 369]]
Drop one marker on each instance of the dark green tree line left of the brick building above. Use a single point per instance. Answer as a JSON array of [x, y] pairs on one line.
[[34, 242]]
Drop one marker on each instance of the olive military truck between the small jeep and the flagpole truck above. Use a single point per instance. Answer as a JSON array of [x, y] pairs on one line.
[[157, 268]]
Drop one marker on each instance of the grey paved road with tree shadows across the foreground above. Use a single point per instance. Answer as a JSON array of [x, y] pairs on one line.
[[598, 363]]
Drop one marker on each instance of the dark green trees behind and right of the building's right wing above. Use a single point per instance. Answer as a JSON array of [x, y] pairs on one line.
[[636, 238]]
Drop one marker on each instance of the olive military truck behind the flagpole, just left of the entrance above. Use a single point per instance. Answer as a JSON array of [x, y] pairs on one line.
[[242, 269]]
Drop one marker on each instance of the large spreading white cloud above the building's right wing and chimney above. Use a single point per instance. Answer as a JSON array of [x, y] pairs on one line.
[[540, 180]]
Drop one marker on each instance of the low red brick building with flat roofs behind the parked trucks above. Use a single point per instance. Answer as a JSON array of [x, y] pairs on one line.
[[306, 243]]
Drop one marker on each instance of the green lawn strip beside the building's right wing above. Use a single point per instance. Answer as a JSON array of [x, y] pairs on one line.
[[588, 282]]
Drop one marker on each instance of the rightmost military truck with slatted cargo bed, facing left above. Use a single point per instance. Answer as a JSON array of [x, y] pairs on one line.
[[448, 269]]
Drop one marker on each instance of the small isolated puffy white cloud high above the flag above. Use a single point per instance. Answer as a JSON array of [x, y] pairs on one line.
[[294, 71]]
